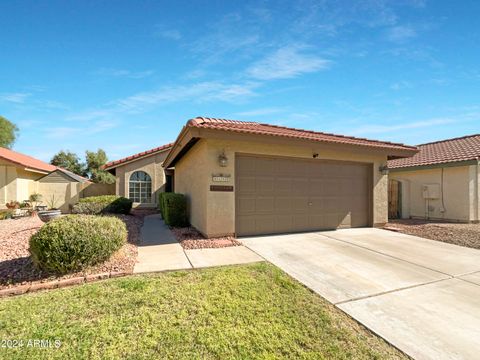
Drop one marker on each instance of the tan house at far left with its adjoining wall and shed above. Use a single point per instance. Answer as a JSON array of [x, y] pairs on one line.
[[22, 175]]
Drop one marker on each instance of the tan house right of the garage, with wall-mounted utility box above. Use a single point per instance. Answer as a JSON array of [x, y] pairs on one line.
[[440, 182]]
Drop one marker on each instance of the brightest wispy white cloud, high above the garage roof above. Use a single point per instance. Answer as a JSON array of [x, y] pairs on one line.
[[287, 62]]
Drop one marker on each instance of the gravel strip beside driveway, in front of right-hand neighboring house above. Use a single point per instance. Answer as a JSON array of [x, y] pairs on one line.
[[454, 233]]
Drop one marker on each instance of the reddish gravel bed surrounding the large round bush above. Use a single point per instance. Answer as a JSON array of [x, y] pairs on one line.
[[17, 268]]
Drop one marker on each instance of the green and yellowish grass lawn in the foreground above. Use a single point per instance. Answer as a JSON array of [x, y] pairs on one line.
[[238, 312]]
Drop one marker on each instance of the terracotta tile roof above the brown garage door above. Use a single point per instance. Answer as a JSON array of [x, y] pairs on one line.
[[281, 131]]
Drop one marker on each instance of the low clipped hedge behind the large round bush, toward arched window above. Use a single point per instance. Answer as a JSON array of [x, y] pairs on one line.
[[94, 205]]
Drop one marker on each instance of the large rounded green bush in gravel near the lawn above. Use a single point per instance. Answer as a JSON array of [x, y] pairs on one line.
[[74, 242]]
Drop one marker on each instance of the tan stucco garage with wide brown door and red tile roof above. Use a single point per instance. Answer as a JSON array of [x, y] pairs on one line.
[[247, 178]]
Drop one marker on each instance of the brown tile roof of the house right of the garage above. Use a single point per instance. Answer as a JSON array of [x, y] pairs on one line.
[[451, 150]]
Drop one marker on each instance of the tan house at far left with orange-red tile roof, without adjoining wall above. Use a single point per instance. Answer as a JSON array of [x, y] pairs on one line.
[[18, 175]]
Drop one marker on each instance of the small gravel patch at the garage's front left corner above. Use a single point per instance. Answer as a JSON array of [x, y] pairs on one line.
[[190, 238]]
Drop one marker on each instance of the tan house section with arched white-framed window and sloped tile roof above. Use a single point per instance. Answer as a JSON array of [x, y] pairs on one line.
[[141, 177]]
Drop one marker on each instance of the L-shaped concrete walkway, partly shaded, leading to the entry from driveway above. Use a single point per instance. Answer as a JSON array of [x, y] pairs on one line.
[[159, 251]]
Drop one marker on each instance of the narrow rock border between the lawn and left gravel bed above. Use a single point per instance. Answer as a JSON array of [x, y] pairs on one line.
[[62, 283]]
